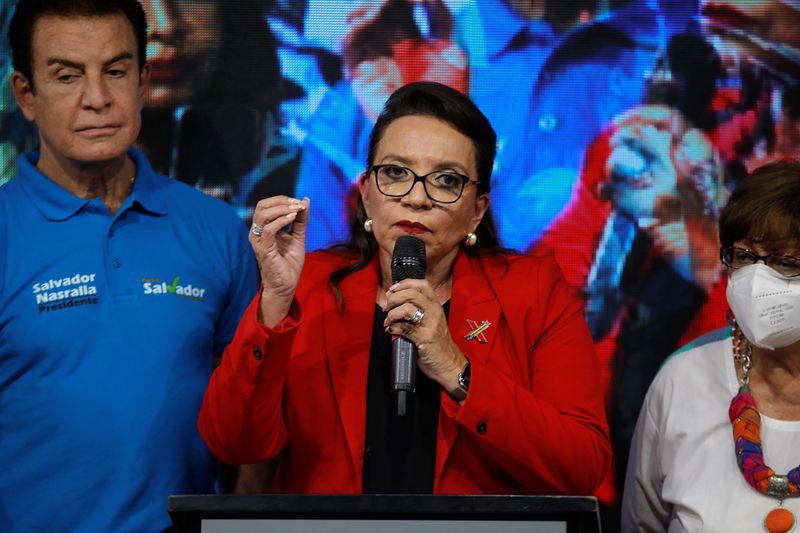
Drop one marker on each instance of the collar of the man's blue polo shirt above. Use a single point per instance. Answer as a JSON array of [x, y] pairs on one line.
[[56, 203]]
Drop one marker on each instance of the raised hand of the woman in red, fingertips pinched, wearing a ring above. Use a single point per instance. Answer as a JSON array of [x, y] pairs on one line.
[[280, 252]]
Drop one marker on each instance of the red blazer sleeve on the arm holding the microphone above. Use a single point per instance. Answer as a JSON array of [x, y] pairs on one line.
[[547, 430]]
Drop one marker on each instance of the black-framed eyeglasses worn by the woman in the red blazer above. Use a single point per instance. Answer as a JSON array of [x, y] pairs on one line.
[[442, 186]]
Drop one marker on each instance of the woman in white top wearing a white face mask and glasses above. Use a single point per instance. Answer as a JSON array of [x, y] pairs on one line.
[[717, 444]]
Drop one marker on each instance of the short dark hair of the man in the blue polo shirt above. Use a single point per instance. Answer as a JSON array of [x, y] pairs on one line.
[[20, 32]]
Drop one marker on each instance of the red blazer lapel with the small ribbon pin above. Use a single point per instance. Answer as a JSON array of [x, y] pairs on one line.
[[472, 304]]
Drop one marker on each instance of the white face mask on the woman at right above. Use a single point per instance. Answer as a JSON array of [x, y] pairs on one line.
[[766, 305]]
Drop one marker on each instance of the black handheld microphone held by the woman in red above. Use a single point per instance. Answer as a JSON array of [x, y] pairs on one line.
[[408, 261]]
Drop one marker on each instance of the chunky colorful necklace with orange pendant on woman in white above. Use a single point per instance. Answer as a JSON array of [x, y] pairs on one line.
[[746, 421]]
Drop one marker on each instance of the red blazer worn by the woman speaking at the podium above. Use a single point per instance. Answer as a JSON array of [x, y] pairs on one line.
[[533, 421]]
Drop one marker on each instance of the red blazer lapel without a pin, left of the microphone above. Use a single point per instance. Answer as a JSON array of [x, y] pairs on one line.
[[348, 338]]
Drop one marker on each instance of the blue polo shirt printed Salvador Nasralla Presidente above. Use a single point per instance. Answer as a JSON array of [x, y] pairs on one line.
[[108, 330]]
